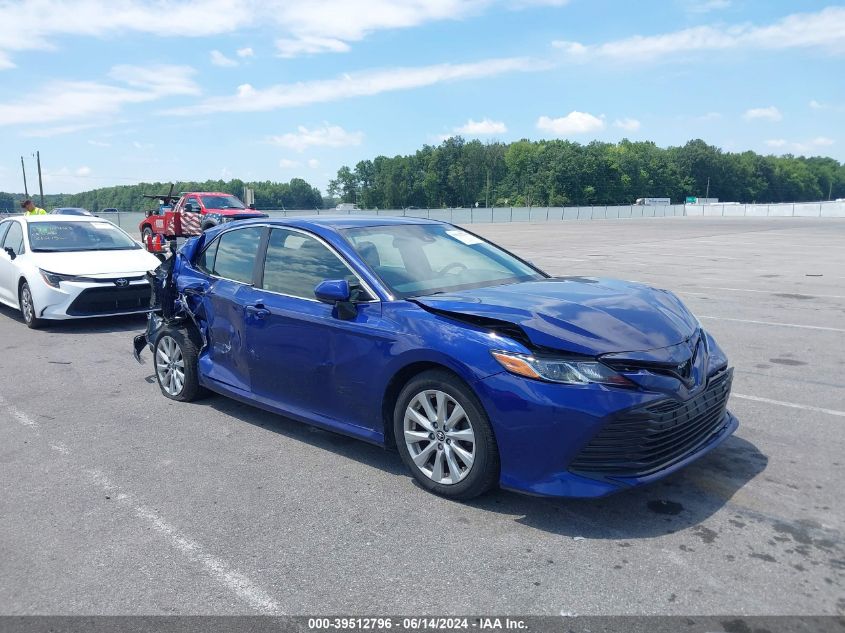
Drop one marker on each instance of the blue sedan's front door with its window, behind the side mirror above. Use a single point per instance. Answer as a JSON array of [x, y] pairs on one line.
[[304, 358]]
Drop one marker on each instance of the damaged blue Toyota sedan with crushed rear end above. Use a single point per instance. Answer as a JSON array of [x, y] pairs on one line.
[[479, 368]]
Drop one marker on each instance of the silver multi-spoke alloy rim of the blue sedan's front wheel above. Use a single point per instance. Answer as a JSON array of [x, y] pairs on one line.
[[439, 437]]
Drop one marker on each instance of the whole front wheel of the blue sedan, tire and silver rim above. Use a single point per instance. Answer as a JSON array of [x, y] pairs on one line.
[[444, 436]]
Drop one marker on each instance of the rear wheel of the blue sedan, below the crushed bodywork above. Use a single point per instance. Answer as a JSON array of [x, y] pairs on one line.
[[188, 349]]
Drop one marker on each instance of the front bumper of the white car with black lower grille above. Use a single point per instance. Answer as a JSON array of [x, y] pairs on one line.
[[85, 299]]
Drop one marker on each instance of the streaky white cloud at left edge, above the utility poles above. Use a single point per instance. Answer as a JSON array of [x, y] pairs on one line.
[[86, 100]]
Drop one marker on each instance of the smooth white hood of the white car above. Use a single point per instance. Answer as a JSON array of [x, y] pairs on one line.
[[94, 263]]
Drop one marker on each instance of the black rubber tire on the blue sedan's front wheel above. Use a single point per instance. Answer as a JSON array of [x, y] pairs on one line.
[[483, 474]]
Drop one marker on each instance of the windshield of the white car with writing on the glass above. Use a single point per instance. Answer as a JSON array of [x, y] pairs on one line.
[[50, 237]]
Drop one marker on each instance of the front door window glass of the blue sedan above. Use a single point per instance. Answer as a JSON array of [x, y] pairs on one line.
[[296, 263]]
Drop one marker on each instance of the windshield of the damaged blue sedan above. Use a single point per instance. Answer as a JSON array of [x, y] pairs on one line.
[[422, 259]]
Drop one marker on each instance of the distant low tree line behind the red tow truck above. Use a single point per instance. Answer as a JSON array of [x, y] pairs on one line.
[[296, 194]]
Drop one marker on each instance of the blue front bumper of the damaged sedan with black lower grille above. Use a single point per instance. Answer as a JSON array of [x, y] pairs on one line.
[[547, 432]]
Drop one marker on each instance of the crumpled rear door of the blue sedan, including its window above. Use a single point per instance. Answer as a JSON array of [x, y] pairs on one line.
[[228, 264]]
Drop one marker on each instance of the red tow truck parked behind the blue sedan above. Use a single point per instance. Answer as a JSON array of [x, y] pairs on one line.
[[193, 213]]
